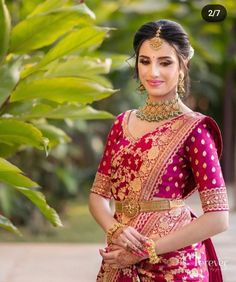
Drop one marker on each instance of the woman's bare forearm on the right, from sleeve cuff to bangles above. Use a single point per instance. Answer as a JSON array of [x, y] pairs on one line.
[[201, 228]]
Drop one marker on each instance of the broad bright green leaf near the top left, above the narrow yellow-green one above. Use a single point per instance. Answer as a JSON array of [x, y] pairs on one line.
[[42, 30]]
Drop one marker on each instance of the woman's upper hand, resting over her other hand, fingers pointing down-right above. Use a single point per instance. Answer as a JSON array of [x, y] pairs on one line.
[[130, 239]]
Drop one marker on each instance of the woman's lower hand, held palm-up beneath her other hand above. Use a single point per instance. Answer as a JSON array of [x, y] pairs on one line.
[[118, 257]]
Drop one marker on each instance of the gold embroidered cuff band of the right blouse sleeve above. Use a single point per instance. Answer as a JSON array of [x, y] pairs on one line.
[[214, 199]]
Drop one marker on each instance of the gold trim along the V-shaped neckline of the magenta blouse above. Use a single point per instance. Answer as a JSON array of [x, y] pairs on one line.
[[130, 136]]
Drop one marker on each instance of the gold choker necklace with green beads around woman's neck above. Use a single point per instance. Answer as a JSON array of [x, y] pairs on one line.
[[158, 111]]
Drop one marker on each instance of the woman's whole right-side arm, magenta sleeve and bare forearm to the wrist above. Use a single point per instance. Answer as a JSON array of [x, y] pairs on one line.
[[203, 159]]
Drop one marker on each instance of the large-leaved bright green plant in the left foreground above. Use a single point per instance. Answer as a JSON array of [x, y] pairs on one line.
[[49, 70]]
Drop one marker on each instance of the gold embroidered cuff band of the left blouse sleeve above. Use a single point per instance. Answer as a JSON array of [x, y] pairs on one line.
[[102, 185]]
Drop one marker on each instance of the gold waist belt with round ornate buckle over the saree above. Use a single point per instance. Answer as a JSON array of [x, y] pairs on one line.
[[131, 208]]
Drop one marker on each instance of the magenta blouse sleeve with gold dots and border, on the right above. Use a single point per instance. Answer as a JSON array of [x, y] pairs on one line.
[[203, 153]]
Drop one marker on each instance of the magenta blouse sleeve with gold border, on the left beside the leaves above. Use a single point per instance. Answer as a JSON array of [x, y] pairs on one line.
[[101, 184]]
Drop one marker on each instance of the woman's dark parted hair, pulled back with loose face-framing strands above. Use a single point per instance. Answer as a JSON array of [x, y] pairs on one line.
[[172, 33]]
